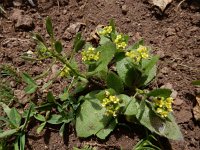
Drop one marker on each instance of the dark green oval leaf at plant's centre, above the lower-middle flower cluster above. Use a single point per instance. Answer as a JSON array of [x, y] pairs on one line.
[[114, 82]]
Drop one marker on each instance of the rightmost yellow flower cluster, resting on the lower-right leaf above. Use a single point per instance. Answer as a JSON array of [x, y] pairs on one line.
[[163, 106]]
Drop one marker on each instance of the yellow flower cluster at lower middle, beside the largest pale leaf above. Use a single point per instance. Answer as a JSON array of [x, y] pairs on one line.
[[111, 103]]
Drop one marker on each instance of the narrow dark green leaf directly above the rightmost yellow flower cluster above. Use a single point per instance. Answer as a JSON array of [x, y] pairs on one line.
[[160, 93]]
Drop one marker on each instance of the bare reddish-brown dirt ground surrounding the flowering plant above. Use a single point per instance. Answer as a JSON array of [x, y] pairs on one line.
[[174, 35]]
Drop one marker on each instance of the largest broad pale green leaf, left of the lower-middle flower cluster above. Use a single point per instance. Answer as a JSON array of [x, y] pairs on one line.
[[88, 123]]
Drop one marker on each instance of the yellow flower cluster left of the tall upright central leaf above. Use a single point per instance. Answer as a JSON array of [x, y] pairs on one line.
[[90, 54]]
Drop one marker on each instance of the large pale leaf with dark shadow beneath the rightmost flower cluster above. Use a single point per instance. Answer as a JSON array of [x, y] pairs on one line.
[[167, 128]]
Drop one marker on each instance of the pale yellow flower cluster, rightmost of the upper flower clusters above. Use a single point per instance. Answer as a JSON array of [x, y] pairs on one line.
[[140, 53]]
